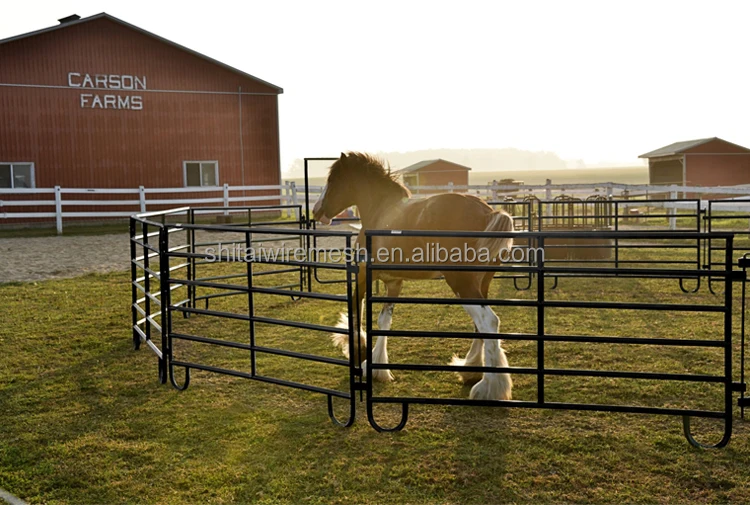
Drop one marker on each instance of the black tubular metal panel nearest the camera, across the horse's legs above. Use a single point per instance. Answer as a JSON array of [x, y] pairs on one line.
[[541, 303]]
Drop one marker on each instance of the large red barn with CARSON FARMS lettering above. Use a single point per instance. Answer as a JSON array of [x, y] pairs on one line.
[[100, 103]]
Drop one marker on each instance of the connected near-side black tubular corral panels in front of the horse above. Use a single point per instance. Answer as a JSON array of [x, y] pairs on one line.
[[541, 270]]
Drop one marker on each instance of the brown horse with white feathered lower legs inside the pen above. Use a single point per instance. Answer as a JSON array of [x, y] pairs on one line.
[[361, 180]]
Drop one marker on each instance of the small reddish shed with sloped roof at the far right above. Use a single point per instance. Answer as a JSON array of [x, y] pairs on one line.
[[703, 162]]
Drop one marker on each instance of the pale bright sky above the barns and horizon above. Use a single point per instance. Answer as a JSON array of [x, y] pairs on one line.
[[601, 81]]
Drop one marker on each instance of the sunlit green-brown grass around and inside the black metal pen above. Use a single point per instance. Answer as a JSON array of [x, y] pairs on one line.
[[84, 420]]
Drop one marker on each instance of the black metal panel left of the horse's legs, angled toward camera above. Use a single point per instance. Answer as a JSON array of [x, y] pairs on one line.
[[228, 286]]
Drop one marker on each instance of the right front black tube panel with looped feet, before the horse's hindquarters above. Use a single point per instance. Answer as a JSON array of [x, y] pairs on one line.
[[728, 275]]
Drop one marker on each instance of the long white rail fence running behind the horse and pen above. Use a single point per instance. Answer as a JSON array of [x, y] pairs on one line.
[[143, 199]]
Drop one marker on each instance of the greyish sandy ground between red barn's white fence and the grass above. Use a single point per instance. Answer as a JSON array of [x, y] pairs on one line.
[[41, 258]]
